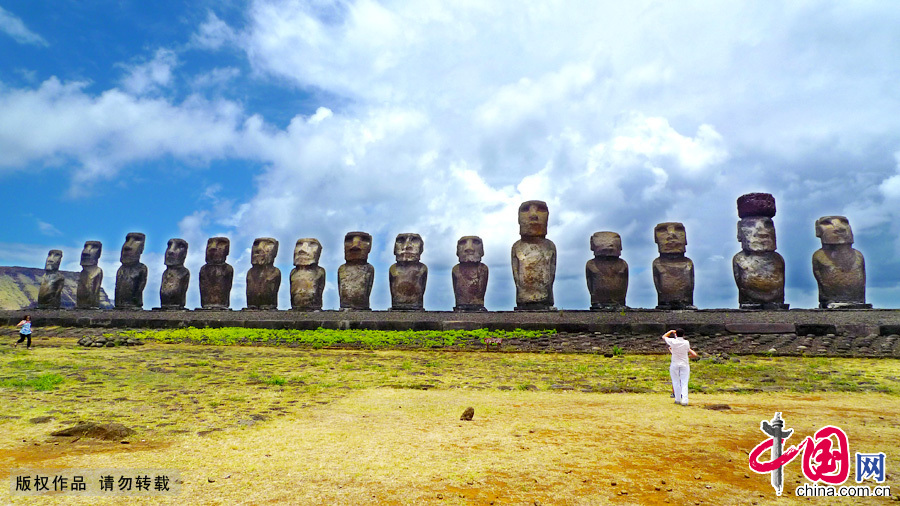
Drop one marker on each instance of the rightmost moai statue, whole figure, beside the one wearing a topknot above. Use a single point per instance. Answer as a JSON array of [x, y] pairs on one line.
[[839, 269]]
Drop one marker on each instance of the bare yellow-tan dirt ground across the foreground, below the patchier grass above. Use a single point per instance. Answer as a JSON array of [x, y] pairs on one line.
[[396, 446]]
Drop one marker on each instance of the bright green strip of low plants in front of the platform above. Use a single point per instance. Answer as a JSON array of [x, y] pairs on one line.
[[324, 338]]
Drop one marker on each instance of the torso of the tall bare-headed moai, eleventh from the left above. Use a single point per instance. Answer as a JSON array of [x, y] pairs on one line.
[[534, 270]]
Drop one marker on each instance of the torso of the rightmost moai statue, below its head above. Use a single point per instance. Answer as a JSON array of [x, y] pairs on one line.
[[841, 276]]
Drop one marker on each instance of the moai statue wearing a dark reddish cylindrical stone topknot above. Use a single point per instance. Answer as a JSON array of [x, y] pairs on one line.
[[758, 269]]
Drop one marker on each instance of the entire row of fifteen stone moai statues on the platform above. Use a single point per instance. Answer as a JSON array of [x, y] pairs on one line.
[[758, 269]]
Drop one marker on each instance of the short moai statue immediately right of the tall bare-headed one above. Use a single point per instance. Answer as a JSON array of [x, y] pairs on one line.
[[606, 273]]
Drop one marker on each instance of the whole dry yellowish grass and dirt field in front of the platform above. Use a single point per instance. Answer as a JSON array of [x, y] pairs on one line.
[[369, 444]]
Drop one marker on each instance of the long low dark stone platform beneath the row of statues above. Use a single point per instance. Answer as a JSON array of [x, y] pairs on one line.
[[709, 322]]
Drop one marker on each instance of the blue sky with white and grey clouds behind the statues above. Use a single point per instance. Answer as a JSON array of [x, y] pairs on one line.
[[299, 119]]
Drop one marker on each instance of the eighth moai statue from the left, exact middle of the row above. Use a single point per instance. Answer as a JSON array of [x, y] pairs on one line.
[[355, 277]]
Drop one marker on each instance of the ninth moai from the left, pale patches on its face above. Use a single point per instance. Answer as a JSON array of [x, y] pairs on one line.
[[408, 276]]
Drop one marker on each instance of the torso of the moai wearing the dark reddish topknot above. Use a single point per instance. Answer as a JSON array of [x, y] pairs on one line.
[[759, 277]]
